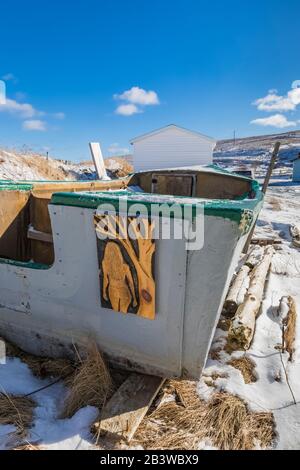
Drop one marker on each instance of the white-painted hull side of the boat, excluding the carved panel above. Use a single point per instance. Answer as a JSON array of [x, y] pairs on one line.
[[46, 311]]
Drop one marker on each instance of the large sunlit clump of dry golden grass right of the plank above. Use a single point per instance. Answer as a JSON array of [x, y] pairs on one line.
[[225, 420]]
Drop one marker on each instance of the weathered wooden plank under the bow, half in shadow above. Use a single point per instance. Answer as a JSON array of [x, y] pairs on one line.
[[124, 412]]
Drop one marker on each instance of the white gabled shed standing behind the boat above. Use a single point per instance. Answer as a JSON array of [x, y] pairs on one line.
[[171, 146]]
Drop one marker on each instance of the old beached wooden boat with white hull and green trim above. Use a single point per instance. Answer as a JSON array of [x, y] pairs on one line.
[[150, 303]]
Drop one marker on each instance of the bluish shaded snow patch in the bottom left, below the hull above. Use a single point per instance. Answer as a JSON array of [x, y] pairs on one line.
[[48, 431]]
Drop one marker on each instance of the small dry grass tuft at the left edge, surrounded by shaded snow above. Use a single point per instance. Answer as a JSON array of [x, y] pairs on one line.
[[18, 411]]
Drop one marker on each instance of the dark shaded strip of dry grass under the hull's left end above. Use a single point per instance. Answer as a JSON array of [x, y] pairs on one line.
[[40, 366]]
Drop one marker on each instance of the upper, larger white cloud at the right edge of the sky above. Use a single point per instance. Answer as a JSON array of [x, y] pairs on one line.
[[274, 102]]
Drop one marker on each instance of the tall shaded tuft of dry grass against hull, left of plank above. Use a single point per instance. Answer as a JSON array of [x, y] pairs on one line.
[[91, 383]]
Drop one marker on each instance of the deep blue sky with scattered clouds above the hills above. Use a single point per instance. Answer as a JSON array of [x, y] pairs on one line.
[[82, 71]]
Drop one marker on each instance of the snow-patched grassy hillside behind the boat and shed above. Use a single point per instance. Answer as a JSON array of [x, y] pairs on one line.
[[249, 152]]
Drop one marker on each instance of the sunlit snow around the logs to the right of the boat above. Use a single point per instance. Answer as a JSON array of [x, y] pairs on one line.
[[270, 392]]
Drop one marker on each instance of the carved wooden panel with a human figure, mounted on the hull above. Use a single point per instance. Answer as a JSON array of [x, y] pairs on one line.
[[126, 264]]
